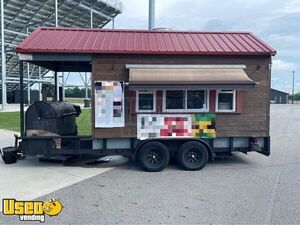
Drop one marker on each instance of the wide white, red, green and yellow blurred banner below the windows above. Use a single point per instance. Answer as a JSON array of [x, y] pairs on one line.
[[170, 125]]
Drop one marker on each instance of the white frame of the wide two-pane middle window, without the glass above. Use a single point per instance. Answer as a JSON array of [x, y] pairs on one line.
[[185, 95]]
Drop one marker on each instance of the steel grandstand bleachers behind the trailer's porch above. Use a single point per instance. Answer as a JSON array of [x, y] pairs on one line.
[[20, 18]]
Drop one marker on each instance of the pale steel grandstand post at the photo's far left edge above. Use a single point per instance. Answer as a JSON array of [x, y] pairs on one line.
[[3, 59]]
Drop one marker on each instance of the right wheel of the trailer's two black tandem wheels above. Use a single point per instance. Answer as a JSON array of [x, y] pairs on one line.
[[192, 155]]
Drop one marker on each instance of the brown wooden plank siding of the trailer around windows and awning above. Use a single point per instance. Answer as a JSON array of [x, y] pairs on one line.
[[252, 121]]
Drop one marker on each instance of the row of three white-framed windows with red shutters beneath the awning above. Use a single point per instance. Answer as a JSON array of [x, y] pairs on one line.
[[185, 101]]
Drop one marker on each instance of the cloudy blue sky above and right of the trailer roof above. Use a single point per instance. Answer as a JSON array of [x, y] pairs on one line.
[[274, 21]]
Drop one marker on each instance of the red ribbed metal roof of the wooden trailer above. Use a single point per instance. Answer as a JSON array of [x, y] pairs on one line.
[[107, 41]]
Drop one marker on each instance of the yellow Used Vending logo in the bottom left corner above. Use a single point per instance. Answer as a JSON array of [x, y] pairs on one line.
[[31, 210]]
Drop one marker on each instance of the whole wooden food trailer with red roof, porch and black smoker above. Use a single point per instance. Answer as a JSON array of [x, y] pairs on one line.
[[155, 95]]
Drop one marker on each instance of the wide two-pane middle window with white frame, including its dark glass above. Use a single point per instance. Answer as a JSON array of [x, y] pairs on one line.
[[185, 101]]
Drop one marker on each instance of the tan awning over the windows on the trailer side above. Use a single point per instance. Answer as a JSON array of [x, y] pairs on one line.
[[194, 77]]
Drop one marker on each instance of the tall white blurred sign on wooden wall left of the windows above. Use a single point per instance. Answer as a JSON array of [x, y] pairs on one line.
[[109, 104]]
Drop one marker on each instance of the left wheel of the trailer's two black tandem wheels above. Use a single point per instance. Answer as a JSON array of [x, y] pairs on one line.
[[153, 156]]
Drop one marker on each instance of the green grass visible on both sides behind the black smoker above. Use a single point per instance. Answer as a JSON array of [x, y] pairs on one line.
[[11, 121]]
